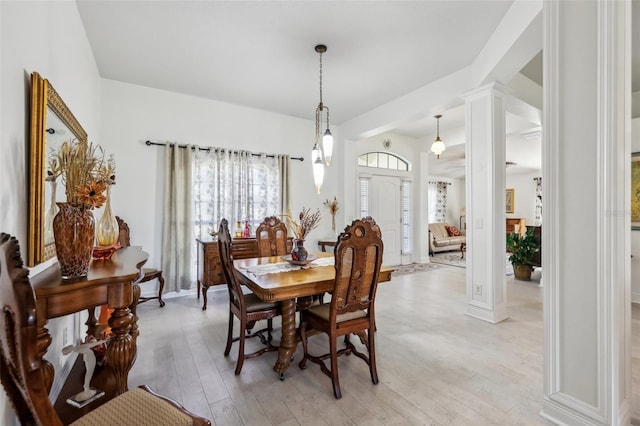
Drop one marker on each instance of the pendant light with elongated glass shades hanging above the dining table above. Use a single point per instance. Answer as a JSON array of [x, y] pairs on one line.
[[323, 148]]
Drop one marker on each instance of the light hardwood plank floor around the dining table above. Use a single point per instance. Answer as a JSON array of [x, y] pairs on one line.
[[436, 365]]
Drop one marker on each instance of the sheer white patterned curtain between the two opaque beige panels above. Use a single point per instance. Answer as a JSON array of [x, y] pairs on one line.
[[237, 186]]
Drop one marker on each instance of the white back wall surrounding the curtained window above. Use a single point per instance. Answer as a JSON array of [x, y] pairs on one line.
[[133, 114]]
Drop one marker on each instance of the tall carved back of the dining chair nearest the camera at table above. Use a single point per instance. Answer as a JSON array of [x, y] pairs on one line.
[[358, 258]]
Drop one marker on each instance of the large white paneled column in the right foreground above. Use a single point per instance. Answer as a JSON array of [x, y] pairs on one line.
[[586, 215]]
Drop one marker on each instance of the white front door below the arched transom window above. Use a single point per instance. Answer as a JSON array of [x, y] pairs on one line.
[[386, 210]]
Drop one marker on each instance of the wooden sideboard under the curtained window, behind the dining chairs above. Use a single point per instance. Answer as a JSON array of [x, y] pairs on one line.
[[209, 266]]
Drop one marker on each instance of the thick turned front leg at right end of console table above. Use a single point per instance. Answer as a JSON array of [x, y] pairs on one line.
[[121, 350]]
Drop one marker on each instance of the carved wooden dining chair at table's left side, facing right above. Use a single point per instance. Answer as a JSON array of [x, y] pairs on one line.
[[246, 306]]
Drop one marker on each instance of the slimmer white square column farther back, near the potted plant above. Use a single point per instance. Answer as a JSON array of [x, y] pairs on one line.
[[486, 229]]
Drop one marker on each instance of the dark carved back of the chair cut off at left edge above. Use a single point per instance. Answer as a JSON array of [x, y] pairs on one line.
[[21, 369]]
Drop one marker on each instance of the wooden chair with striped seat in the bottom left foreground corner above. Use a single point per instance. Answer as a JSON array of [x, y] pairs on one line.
[[21, 368]]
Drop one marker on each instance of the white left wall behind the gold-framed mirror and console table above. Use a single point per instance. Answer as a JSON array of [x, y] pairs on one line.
[[47, 37]]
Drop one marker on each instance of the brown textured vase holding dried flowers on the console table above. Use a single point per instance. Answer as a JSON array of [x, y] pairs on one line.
[[74, 232]]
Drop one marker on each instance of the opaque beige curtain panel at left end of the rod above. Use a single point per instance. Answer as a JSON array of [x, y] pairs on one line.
[[177, 231]]
